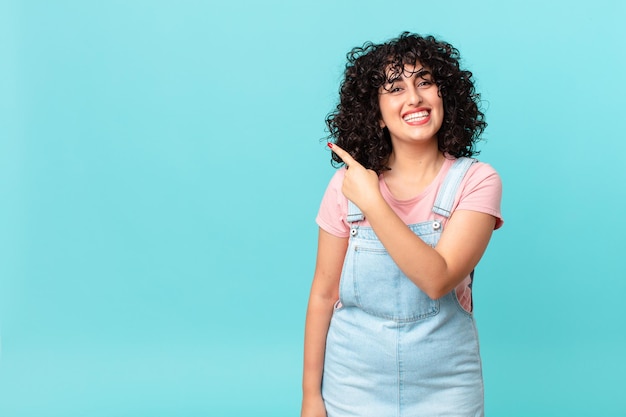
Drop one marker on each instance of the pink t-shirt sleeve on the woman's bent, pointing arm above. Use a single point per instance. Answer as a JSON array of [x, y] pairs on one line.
[[481, 191]]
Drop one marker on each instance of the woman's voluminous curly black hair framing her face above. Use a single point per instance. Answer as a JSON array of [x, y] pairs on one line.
[[354, 124]]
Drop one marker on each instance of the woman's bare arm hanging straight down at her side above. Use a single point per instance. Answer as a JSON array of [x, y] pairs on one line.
[[331, 251]]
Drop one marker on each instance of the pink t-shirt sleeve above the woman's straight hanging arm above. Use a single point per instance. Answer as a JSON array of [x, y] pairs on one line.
[[331, 216]]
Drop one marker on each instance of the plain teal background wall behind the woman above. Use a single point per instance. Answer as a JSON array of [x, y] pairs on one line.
[[161, 168]]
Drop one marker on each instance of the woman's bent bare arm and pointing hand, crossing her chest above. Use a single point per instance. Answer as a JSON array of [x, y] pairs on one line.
[[436, 271]]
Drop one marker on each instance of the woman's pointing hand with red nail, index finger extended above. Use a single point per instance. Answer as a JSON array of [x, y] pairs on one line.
[[360, 185]]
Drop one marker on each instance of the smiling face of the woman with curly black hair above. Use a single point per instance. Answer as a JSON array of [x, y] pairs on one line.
[[410, 105]]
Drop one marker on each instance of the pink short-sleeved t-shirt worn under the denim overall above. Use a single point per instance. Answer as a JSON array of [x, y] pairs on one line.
[[480, 190]]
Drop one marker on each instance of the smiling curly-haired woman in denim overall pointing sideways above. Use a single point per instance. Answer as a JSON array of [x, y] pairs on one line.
[[389, 327]]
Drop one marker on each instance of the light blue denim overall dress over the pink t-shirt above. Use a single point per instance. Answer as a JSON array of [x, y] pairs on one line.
[[391, 351]]
